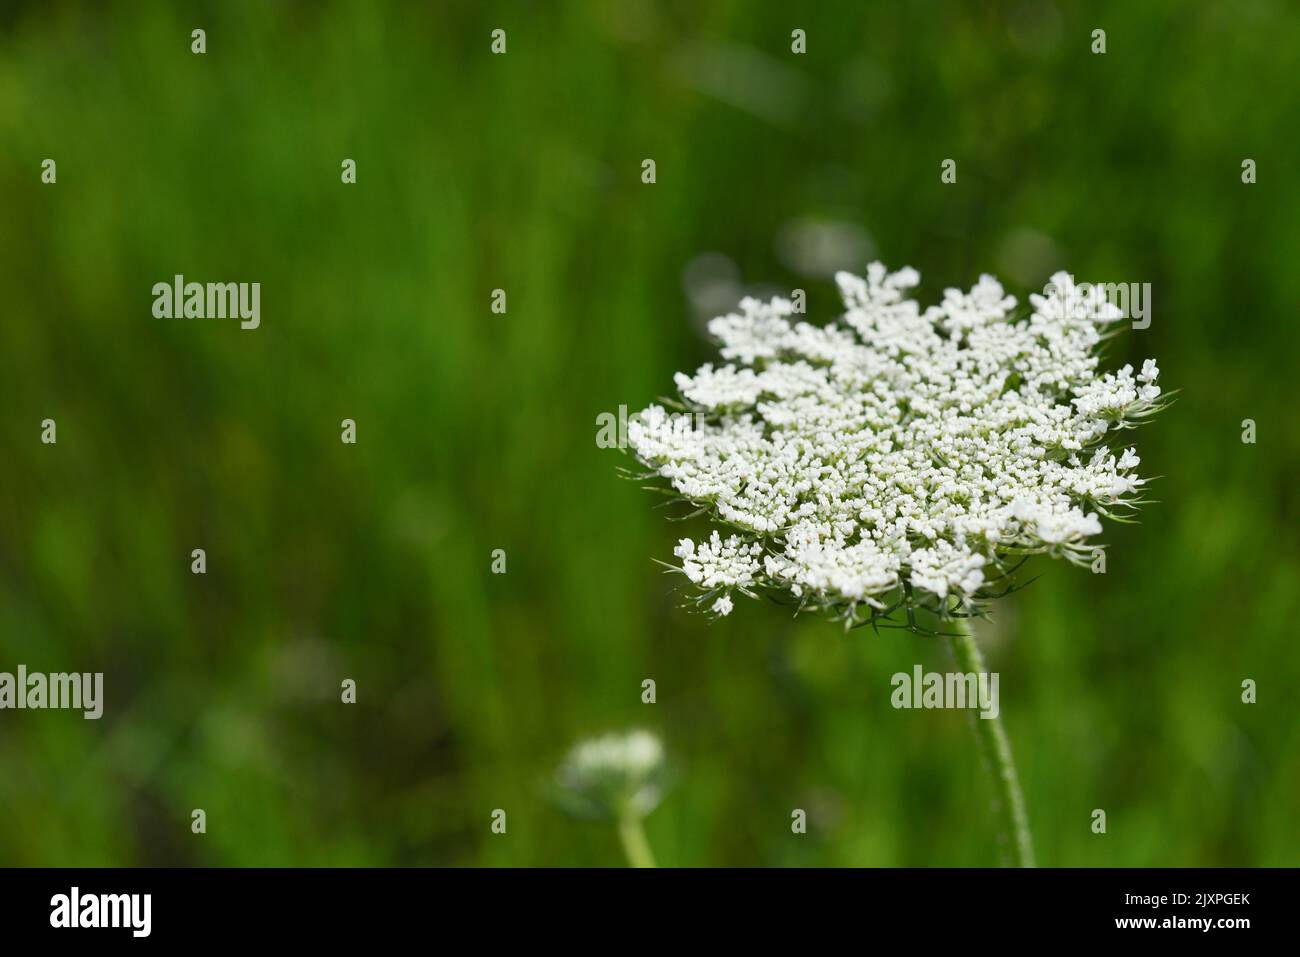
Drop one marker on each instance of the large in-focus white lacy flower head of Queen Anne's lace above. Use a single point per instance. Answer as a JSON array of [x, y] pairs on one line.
[[899, 457]]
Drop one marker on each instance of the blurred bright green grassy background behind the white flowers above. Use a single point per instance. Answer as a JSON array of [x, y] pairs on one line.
[[478, 431]]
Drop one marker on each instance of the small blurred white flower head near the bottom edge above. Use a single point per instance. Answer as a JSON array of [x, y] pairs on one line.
[[613, 774]]
